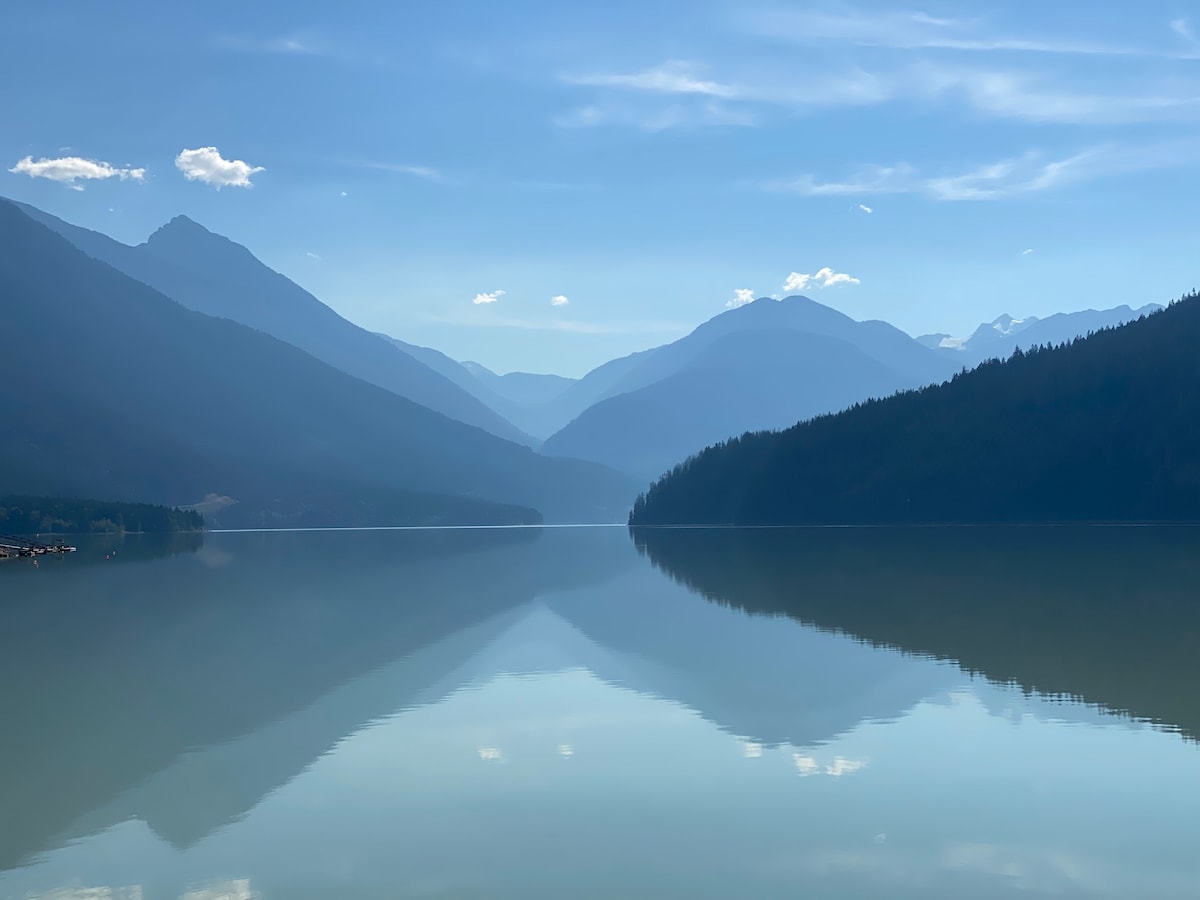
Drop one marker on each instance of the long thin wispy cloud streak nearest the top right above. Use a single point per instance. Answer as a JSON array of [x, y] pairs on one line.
[[909, 32]]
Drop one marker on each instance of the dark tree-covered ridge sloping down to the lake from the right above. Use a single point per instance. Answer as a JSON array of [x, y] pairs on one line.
[[1103, 430]]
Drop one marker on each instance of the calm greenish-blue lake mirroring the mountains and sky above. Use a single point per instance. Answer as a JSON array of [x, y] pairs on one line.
[[577, 713]]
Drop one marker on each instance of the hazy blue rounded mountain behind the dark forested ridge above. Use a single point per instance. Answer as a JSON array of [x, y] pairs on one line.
[[763, 367]]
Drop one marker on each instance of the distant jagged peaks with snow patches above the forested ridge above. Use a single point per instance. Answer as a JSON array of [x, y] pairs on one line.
[[1000, 338]]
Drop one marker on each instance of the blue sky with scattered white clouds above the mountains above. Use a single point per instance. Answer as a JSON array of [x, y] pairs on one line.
[[543, 187]]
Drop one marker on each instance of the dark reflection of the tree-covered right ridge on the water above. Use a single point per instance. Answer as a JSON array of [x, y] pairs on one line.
[[1105, 615]]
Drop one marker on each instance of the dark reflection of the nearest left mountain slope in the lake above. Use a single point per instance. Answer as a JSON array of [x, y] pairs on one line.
[[109, 674]]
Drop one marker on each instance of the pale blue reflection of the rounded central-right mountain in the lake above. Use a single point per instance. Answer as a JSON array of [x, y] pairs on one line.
[[747, 675]]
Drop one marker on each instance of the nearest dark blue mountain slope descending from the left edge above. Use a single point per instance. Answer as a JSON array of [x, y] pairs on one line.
[[111, 389]]
